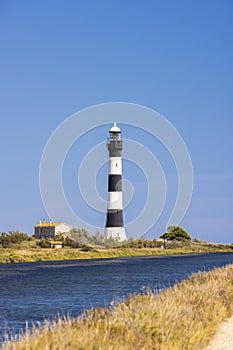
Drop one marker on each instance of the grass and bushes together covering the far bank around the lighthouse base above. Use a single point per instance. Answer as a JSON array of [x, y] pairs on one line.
[[16, 246]]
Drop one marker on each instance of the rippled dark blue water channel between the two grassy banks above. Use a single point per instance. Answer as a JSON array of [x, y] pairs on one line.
[[34, 292]]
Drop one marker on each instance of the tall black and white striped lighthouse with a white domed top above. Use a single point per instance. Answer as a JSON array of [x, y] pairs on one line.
[[114, 222]]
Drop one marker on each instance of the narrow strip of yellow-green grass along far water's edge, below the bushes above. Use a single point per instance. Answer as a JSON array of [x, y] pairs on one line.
[[14, 255]]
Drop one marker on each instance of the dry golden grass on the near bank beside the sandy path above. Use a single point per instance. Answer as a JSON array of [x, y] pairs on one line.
[[182, 317]]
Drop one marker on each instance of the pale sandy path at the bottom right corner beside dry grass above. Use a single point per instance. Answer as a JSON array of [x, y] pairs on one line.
[[223, 339]]
